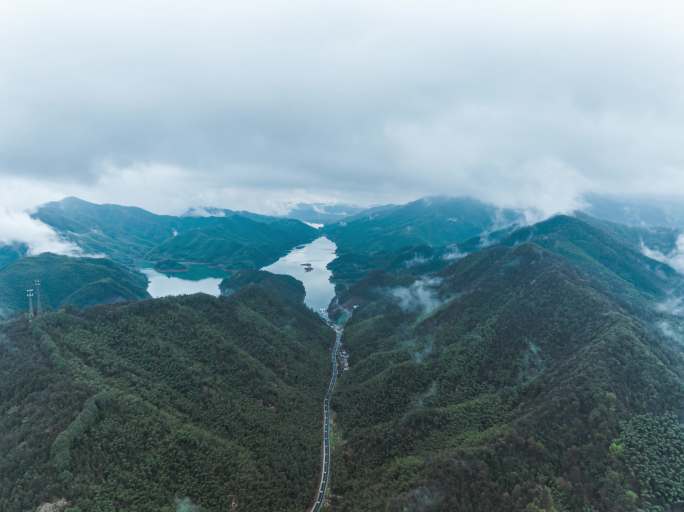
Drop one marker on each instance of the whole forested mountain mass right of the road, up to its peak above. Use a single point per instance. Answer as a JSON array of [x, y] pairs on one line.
[[532, 375]]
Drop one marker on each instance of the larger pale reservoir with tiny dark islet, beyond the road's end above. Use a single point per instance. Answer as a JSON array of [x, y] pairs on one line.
[[308, 264]]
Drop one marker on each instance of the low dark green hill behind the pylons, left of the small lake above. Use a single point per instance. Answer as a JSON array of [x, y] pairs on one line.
[[68, 281]]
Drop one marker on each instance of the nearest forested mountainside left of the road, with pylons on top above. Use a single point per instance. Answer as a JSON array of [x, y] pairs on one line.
[[131, 407]]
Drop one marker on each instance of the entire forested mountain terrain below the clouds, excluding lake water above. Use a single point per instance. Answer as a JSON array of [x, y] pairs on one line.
[[490, 364]]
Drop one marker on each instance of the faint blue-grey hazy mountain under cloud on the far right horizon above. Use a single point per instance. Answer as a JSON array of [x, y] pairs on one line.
[[637, 211]]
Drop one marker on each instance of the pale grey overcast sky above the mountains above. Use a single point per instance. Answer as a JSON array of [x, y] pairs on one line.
[[254, 104]]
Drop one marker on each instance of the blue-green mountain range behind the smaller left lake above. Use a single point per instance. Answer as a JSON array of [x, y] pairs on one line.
[[134, 236]]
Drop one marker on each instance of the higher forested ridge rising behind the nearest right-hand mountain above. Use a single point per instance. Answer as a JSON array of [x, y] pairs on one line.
[[600, 247]]
